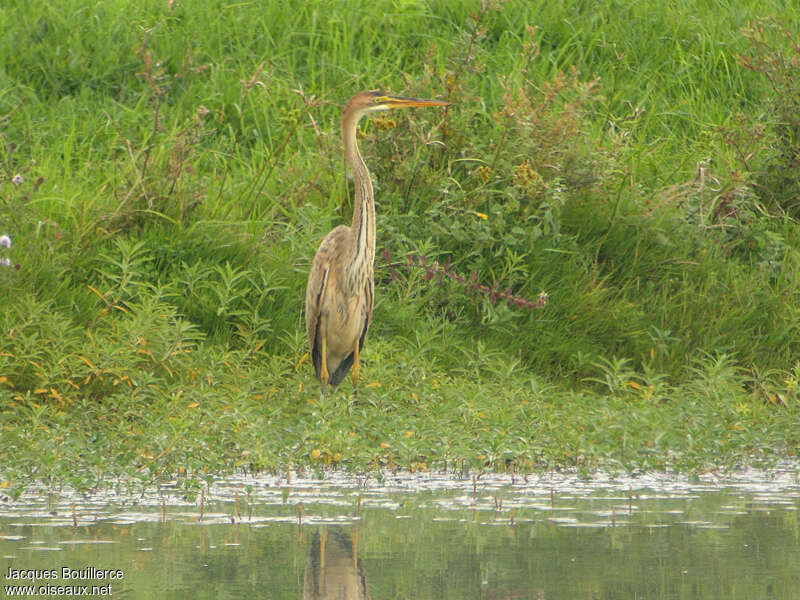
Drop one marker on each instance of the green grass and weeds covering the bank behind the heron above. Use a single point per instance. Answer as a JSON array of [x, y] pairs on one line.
[[635, 160]]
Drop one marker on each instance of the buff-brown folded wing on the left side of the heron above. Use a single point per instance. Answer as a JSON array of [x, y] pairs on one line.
[[330, 252]]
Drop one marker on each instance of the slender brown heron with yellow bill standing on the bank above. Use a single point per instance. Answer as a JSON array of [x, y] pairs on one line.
[[341, 284]]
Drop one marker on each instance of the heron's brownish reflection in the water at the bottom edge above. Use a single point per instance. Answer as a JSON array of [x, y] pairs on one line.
[[333, 571]]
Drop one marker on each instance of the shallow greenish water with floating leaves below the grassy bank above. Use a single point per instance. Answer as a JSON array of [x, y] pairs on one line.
[[418, 536]]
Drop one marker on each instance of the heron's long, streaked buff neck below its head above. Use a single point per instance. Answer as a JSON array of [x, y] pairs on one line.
[[363, 226]]
